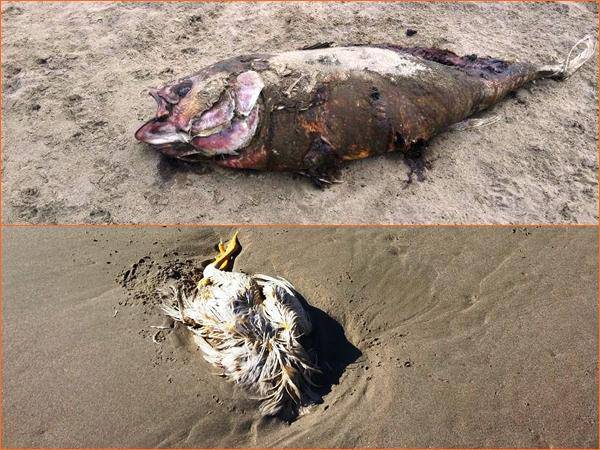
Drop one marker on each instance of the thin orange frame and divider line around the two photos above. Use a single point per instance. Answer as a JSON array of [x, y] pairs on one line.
[[277, 225]]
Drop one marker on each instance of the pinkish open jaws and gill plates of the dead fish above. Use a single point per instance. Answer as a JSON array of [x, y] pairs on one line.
[[226, 128]]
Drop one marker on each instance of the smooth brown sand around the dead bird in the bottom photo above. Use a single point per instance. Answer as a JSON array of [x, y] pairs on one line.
[[443, 337]]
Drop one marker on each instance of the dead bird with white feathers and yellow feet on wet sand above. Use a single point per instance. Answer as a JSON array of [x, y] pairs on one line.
[[251, 328]]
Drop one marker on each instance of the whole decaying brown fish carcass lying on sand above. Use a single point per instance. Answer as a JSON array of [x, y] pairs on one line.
[[310, 110]]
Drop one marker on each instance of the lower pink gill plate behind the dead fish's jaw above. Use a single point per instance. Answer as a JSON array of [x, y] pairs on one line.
[[238, 135]]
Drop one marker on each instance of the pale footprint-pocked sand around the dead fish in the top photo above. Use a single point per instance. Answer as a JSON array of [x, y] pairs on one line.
[[75, 83]]
